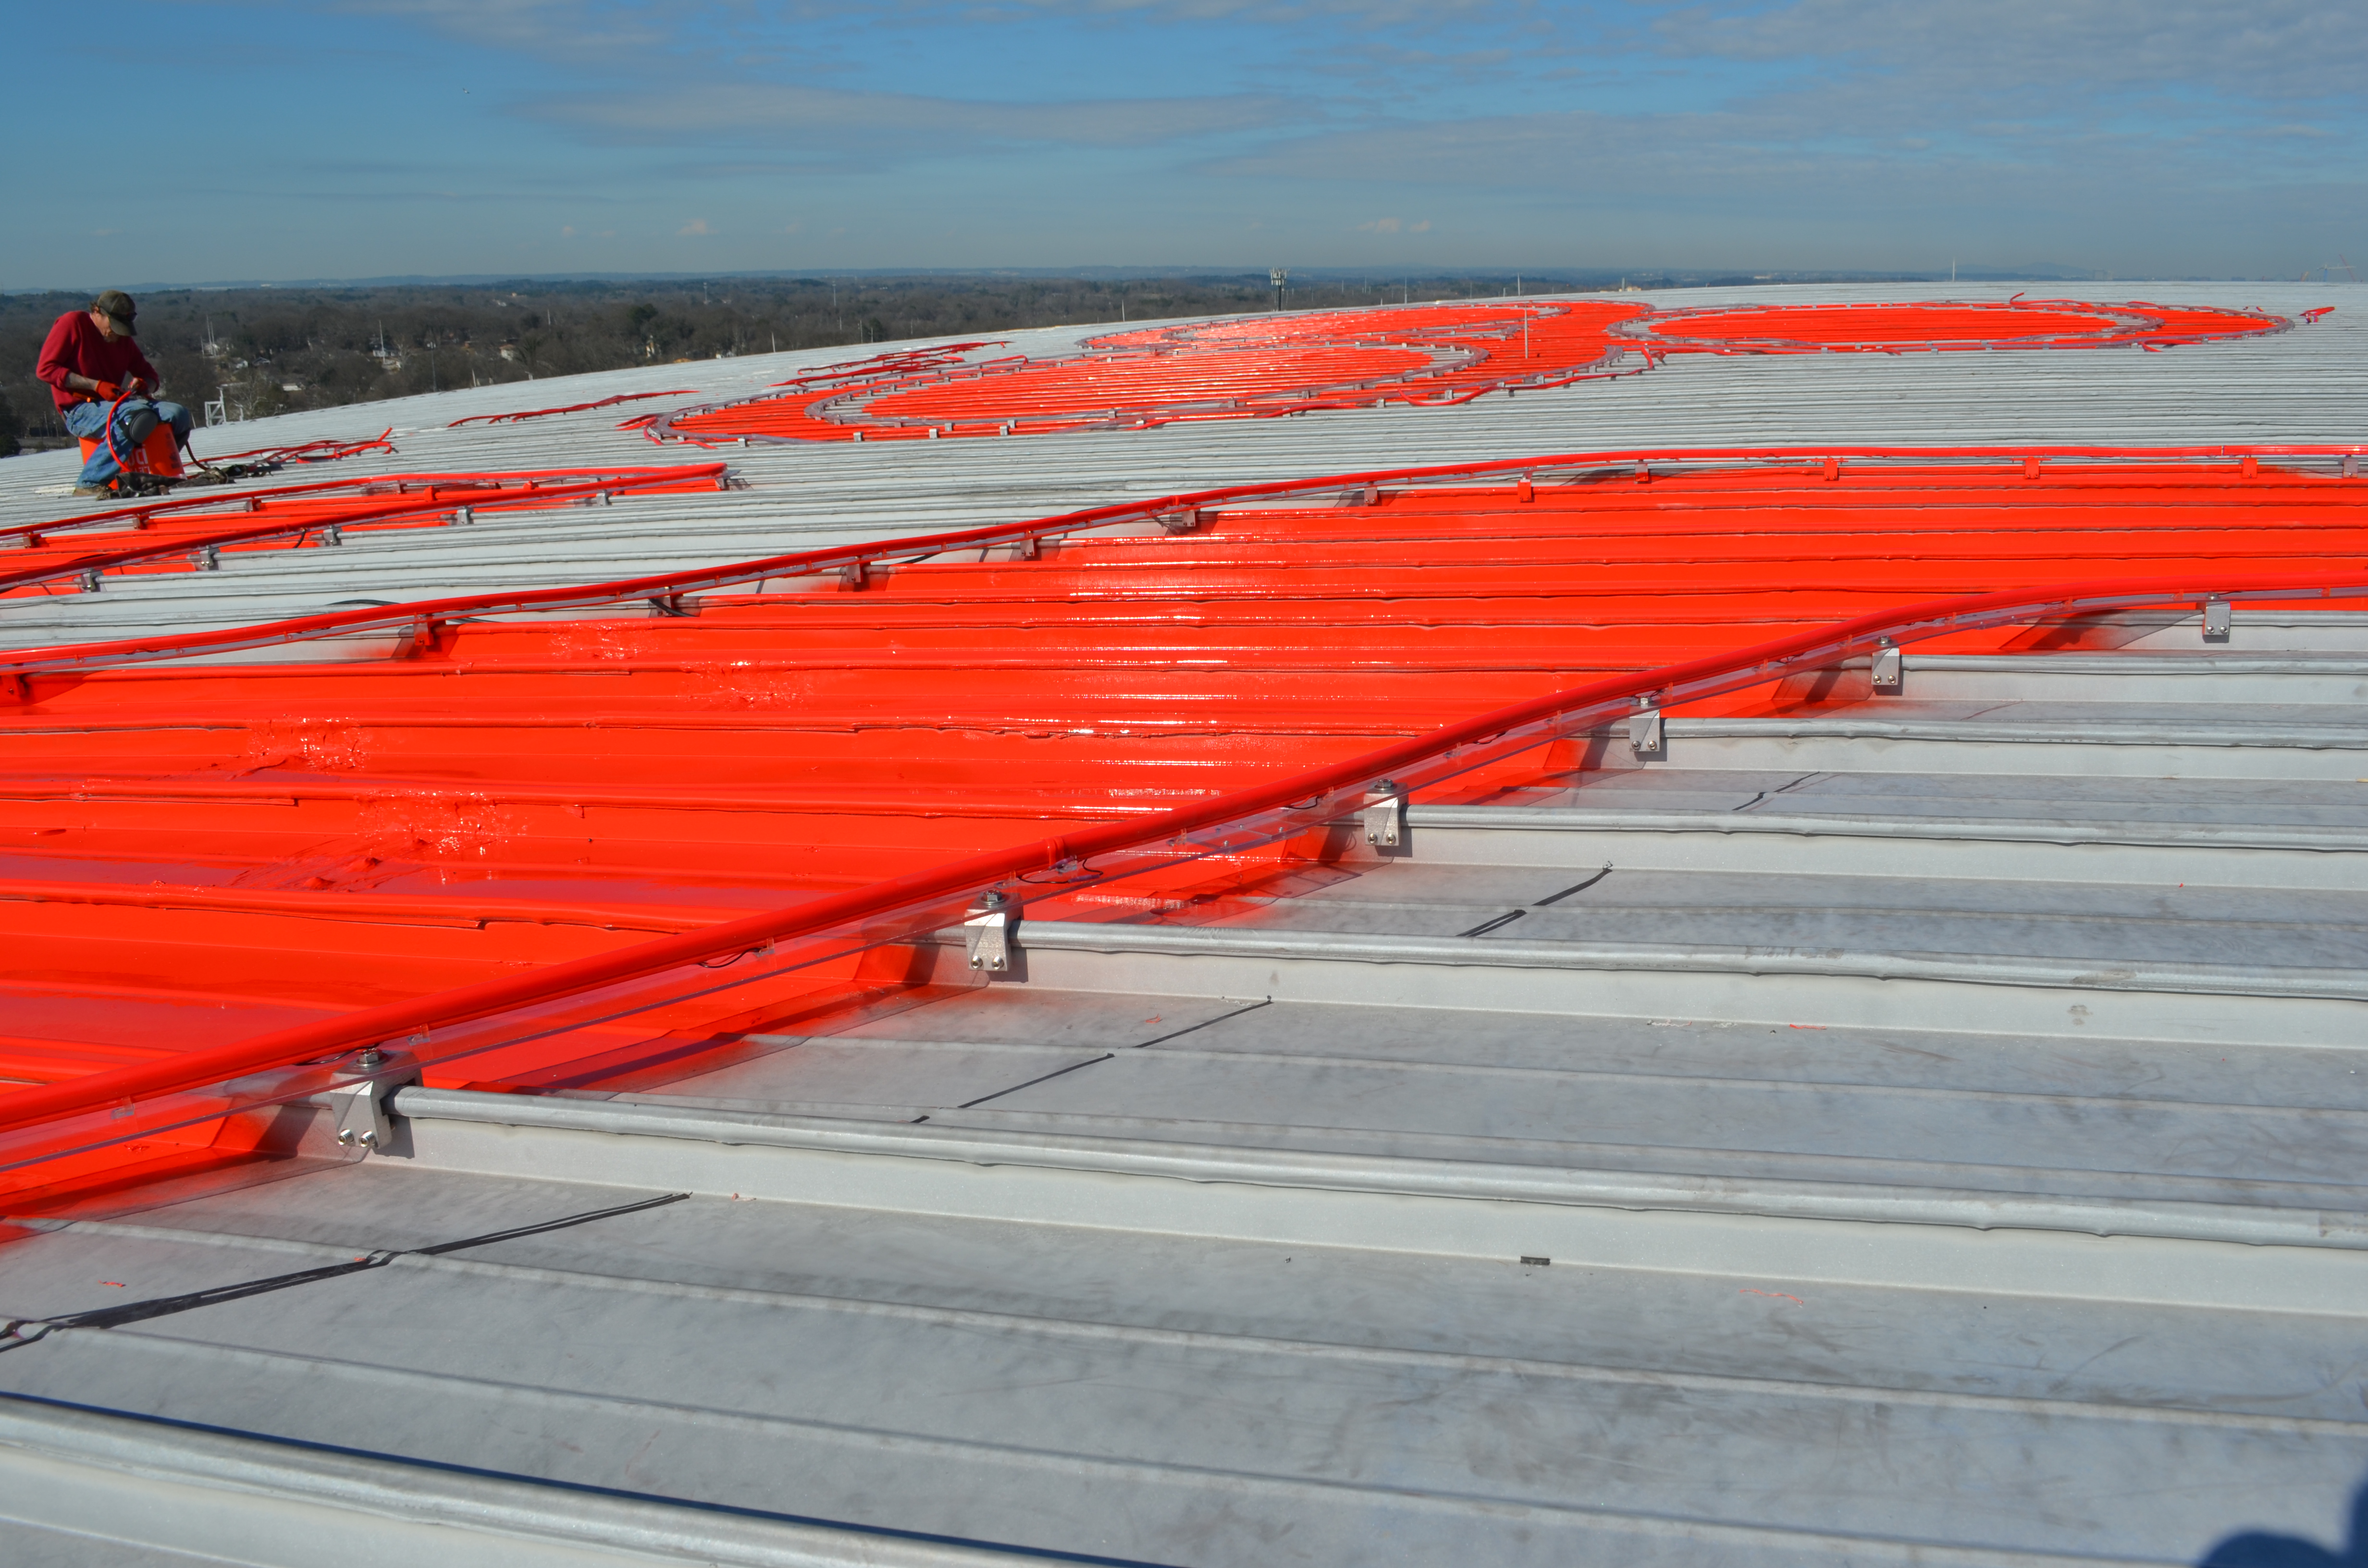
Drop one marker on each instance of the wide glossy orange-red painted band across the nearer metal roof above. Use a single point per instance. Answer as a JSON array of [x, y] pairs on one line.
[[191, 856]]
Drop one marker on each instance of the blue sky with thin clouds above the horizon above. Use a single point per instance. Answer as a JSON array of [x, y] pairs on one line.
[[363, 139]]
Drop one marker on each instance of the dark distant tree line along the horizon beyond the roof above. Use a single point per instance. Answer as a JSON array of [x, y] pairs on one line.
[[271, 352]]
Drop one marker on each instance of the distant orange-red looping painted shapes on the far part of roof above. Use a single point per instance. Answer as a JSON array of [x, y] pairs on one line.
[[1427, 356]]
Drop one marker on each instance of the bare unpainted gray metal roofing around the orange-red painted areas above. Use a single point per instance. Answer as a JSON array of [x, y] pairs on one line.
[[1891, 1162]]
